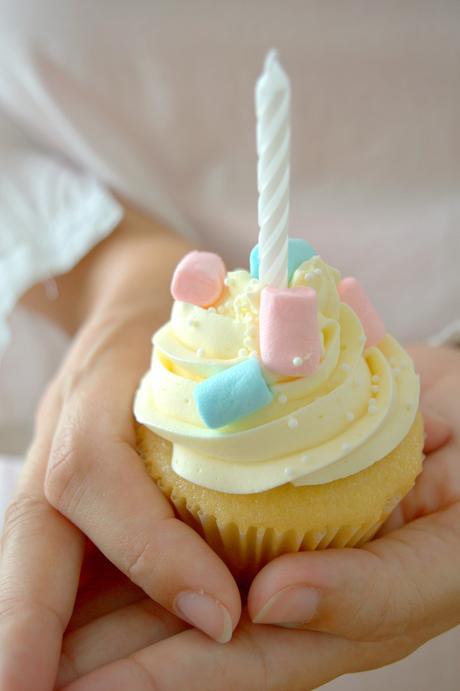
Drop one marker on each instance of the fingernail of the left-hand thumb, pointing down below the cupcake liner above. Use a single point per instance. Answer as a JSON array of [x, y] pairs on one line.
[[205, 613]]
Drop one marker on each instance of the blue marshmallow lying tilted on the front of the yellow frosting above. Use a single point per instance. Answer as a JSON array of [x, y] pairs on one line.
[[232, 394]]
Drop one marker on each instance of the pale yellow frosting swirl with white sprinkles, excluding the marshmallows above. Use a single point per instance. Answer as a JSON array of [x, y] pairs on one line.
[[356, 407]]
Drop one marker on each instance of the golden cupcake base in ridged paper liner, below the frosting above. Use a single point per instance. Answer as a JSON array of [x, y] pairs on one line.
[[248, 530]]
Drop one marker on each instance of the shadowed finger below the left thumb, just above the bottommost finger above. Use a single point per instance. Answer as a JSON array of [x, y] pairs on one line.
[[113, 637]]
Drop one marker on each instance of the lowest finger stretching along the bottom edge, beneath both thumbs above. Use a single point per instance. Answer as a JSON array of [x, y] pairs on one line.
[[257, 658]]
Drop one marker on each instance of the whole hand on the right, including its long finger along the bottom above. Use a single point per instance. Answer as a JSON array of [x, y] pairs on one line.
[[366, 607]]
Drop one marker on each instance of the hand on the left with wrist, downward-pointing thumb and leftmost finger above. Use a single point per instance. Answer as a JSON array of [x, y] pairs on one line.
[[84, 477]]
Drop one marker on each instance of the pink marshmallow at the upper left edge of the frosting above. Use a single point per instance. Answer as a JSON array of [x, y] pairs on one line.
[[198, 278]]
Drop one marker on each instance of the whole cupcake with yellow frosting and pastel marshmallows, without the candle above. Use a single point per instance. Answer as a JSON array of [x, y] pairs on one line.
[[278, 420]]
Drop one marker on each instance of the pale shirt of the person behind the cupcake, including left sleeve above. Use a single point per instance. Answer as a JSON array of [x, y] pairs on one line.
[[155, 102]]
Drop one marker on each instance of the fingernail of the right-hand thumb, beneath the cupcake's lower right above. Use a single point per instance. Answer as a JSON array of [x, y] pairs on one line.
[[290, 607]]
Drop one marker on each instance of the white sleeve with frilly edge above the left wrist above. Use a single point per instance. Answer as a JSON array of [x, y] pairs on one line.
[[51, 215]]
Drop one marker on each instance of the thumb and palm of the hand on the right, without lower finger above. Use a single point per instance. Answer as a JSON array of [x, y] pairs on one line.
[[402, 588]]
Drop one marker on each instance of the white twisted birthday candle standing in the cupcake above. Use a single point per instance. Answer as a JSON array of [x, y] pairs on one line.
[[273, 97]]
